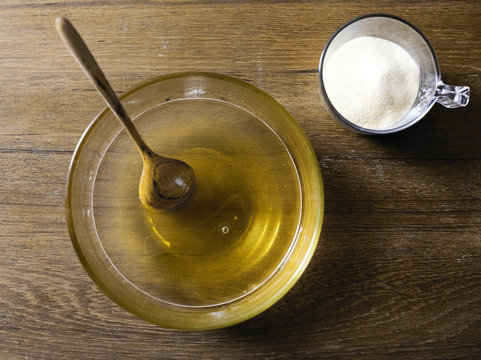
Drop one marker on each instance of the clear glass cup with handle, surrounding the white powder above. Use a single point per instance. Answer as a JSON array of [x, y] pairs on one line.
[[400, 32]]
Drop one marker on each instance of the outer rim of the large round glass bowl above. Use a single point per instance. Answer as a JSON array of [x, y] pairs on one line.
[[313, 238]]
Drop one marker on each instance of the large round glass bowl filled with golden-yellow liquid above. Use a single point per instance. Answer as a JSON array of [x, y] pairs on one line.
[[242, 240]]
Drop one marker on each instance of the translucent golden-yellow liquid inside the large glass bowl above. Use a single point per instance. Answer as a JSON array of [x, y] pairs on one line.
[[233, 234]]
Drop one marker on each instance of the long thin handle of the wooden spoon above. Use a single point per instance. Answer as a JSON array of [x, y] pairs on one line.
[[79, 50]]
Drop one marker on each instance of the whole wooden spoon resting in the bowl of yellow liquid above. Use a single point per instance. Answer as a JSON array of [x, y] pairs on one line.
[[164, 183]]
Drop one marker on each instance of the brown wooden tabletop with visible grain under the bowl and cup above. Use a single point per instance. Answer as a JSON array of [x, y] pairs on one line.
[[397, 273]]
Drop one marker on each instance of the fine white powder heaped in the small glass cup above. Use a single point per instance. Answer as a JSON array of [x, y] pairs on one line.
[[372, 82]]
